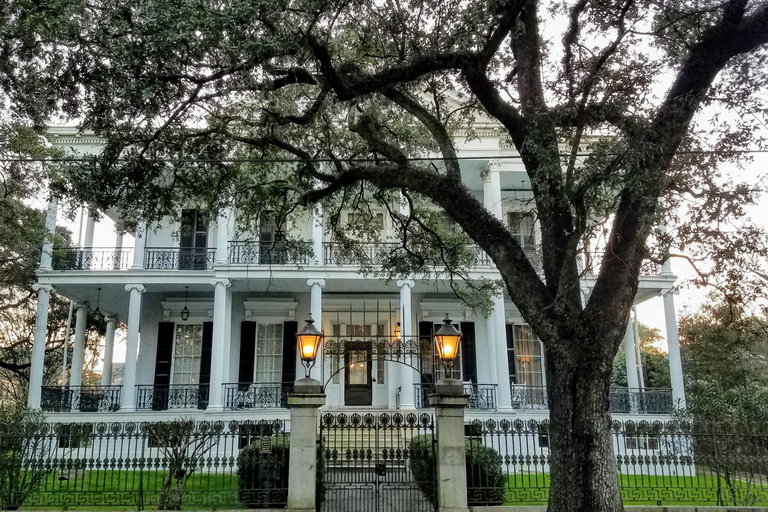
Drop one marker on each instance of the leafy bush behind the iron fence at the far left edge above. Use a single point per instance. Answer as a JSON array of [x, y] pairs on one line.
[[22, 454]]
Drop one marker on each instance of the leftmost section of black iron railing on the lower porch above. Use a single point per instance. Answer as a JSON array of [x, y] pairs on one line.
[[80, 398]]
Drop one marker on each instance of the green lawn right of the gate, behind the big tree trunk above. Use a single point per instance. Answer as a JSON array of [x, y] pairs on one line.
[[531, 489]]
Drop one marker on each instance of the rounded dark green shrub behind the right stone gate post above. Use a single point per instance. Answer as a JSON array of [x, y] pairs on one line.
[[486, 481]]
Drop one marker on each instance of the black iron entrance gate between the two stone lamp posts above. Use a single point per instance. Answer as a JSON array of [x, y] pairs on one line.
[[377, 463]]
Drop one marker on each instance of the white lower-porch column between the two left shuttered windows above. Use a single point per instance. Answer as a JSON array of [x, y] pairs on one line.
[[219, 344]]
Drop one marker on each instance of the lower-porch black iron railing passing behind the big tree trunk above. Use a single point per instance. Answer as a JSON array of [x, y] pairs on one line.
[[621, 400]]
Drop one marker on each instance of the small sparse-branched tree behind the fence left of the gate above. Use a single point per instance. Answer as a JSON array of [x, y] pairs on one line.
[[184, 444]]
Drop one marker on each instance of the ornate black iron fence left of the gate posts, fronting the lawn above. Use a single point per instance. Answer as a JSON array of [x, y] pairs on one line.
[[177, 465]]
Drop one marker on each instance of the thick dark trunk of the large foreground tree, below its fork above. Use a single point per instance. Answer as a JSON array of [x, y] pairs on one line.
[[583, 475]]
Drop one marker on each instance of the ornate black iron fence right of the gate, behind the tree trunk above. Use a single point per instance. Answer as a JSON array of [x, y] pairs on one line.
[[658, 463]]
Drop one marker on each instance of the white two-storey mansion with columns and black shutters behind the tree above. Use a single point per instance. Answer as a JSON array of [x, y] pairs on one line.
[[211, 318]]
